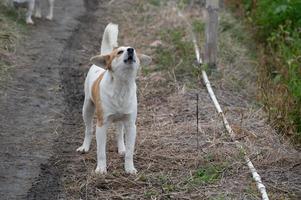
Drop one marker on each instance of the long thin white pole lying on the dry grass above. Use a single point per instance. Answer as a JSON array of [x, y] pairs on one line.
[[254, 173]]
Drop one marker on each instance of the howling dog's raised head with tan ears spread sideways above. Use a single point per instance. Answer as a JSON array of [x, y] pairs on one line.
[[122, 61]]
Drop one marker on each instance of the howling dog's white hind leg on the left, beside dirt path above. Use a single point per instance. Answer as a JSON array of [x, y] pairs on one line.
[[88, 113]]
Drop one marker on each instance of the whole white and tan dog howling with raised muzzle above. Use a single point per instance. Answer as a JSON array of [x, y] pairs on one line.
[[112, 93]]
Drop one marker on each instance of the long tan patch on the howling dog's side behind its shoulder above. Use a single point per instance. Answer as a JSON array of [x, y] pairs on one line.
[[96, 99]]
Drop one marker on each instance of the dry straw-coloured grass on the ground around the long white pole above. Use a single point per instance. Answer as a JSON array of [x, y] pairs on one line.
[[170, 164]]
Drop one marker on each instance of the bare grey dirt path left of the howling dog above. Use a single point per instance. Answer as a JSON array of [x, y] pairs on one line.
[[32, 104]]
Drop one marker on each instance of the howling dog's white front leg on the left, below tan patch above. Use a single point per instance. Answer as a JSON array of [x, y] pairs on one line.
[[101, 139]]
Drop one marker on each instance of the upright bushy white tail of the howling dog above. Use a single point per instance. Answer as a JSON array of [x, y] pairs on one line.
[[109, 39]]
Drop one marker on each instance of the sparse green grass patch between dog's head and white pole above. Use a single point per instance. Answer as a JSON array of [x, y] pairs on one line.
[[176, 57]]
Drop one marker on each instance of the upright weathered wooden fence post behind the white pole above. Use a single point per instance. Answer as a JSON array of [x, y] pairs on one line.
[[211, 30]]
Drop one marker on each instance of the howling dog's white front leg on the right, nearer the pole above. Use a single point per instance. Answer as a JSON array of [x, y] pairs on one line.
[[130, 130]]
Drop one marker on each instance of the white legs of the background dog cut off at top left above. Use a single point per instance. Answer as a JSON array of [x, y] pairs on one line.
[[32, 5]]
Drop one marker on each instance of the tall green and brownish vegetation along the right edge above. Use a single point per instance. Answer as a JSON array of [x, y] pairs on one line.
[[276, 24]]
